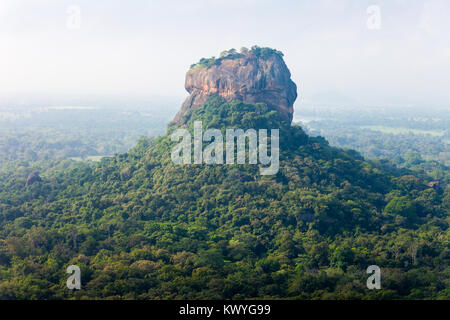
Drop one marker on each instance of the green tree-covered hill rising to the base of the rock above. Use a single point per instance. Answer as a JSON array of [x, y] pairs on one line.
[[140, 226]]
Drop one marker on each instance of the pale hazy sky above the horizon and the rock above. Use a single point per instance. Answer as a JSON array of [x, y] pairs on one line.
[[145, 47]]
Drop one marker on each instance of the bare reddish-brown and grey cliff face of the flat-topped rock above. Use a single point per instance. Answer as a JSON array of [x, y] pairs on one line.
[[247, 78]]
